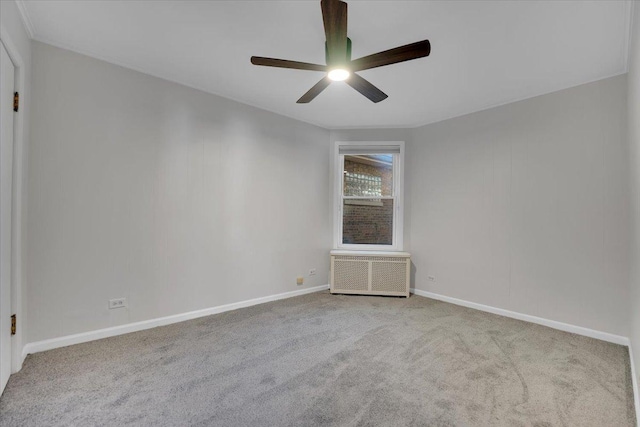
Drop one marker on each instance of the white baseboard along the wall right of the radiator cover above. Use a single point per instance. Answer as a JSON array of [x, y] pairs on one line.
[[604, 336]]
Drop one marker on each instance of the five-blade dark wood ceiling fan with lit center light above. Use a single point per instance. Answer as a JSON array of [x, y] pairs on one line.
[[339, 66]]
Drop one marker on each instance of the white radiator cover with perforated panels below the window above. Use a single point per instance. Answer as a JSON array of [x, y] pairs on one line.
[[370, 273]]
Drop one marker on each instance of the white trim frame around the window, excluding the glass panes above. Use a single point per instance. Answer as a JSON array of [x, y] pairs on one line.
[[398, 182]]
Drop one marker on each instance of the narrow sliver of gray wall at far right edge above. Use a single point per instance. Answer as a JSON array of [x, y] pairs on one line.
[[633, 103]]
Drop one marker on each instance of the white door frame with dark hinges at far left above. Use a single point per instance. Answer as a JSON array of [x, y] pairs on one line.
[[18, 205]]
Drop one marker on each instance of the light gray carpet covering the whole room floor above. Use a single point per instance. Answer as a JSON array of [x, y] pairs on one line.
[[324, 359]]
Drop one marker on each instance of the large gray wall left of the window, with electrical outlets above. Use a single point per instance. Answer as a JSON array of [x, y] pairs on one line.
[[176, 199]]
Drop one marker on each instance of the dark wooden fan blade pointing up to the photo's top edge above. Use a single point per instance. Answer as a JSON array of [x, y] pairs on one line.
[[334, 16]]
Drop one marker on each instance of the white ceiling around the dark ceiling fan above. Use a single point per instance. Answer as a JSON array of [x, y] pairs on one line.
[[484, 53]]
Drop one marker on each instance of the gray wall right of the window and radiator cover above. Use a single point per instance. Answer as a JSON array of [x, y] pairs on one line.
[[525, 207]]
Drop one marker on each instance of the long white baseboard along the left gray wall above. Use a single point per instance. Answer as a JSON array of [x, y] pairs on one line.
[[50, 344]]
